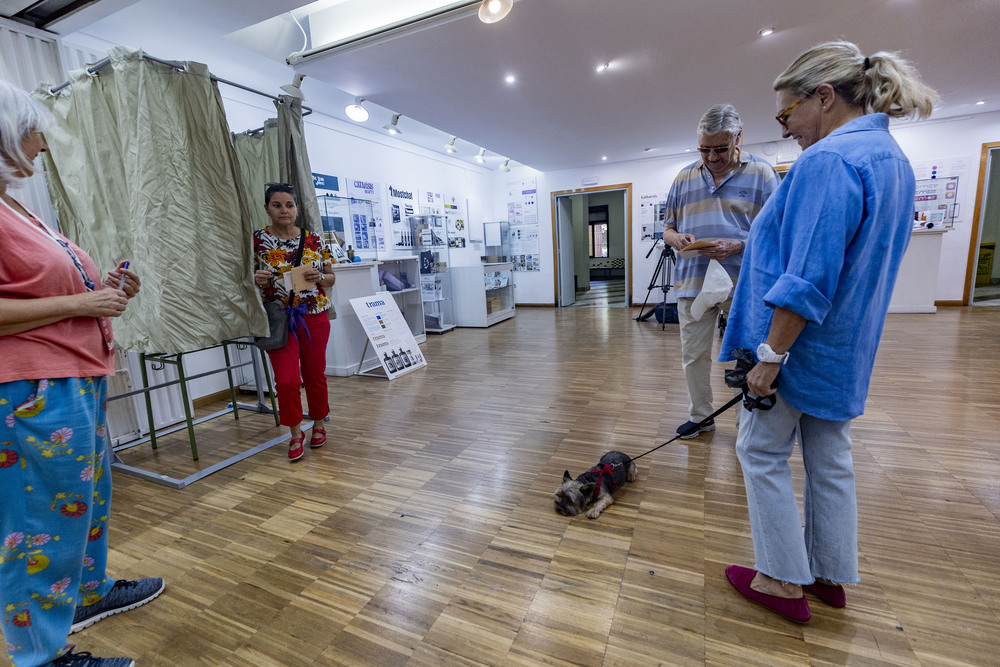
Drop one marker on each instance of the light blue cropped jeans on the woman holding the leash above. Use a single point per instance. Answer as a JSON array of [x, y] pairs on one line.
[[828, 547]]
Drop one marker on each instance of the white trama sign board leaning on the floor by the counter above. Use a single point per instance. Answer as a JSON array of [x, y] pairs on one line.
[[388, 335]]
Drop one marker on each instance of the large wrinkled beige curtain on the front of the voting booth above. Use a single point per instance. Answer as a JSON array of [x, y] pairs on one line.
[[141, 167]]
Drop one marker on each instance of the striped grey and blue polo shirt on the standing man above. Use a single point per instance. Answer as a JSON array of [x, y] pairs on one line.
[[696, 206]]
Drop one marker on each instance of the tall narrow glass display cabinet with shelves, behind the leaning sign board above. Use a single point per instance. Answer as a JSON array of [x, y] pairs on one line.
[[430, 246]]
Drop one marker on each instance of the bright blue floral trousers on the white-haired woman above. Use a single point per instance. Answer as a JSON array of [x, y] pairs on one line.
[[55, 497]]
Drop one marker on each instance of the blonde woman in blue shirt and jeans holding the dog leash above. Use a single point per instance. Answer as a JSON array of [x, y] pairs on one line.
[[818, 273]]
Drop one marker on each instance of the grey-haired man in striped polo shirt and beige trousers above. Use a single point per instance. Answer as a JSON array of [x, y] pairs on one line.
[[714, 199]]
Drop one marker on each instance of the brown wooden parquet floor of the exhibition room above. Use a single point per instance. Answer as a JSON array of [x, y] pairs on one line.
[[424, 532]]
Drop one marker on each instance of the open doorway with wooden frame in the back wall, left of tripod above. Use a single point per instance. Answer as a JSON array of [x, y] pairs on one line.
[[593, 247]]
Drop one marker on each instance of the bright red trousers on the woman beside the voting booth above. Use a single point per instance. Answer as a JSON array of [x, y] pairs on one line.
[[310, 353]]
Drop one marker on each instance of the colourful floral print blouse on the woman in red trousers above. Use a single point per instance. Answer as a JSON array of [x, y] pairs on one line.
[[279, 254]]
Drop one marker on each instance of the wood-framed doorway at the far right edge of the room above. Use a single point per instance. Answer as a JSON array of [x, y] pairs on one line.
[[983, 284]]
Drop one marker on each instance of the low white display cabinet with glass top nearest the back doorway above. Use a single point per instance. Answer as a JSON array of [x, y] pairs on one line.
[[484, 295]]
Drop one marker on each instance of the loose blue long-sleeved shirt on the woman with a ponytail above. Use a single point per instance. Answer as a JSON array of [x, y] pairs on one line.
[[828, 246]]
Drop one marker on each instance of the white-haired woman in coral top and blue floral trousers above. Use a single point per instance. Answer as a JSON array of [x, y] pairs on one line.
[[55, 475]]
